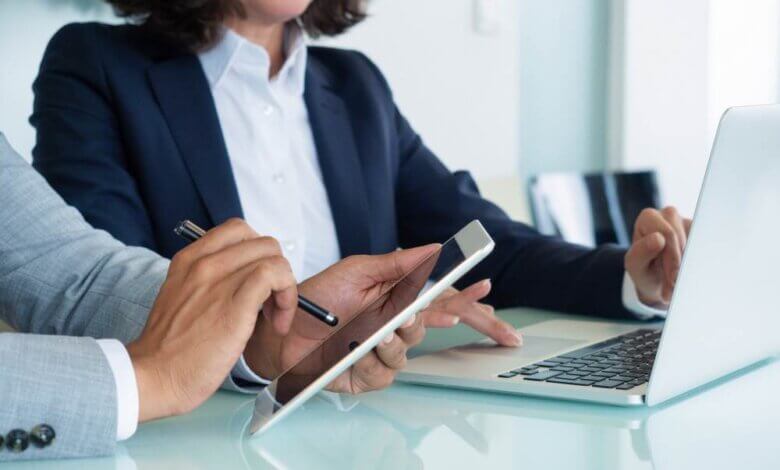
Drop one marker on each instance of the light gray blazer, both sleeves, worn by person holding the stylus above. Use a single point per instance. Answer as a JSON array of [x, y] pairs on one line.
[[66, 283]]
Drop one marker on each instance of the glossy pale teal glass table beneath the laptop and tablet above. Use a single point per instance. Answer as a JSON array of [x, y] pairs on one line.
[[732, 424]]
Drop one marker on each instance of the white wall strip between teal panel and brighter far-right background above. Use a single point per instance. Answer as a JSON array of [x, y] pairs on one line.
[[660, 95]]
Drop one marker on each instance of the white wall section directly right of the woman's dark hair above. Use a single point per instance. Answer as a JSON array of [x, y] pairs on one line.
[[458, 88]]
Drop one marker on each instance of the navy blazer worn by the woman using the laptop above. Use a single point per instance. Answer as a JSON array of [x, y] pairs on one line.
[[127, 131]]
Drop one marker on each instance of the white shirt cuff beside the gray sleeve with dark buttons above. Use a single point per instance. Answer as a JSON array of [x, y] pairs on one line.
[[126, 387]]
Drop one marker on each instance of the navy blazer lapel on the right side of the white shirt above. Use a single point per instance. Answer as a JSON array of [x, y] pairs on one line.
[[339, 160]]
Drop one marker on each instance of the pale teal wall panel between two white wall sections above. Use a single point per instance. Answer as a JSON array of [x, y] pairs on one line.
[[563, 74]]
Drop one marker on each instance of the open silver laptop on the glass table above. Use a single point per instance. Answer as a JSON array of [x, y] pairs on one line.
[[724, 314]]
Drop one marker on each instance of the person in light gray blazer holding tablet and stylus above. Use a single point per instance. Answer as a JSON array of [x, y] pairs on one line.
[[167, 334]]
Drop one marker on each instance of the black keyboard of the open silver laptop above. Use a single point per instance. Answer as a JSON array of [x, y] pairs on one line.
[[621, 363]]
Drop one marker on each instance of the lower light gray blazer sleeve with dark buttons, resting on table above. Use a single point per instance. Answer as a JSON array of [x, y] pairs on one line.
[[61, 381]]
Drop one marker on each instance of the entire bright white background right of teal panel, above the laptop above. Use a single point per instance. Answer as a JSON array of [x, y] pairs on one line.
[[676, 66]]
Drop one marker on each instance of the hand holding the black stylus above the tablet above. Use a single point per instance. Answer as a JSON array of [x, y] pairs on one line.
[[204, 315]]
